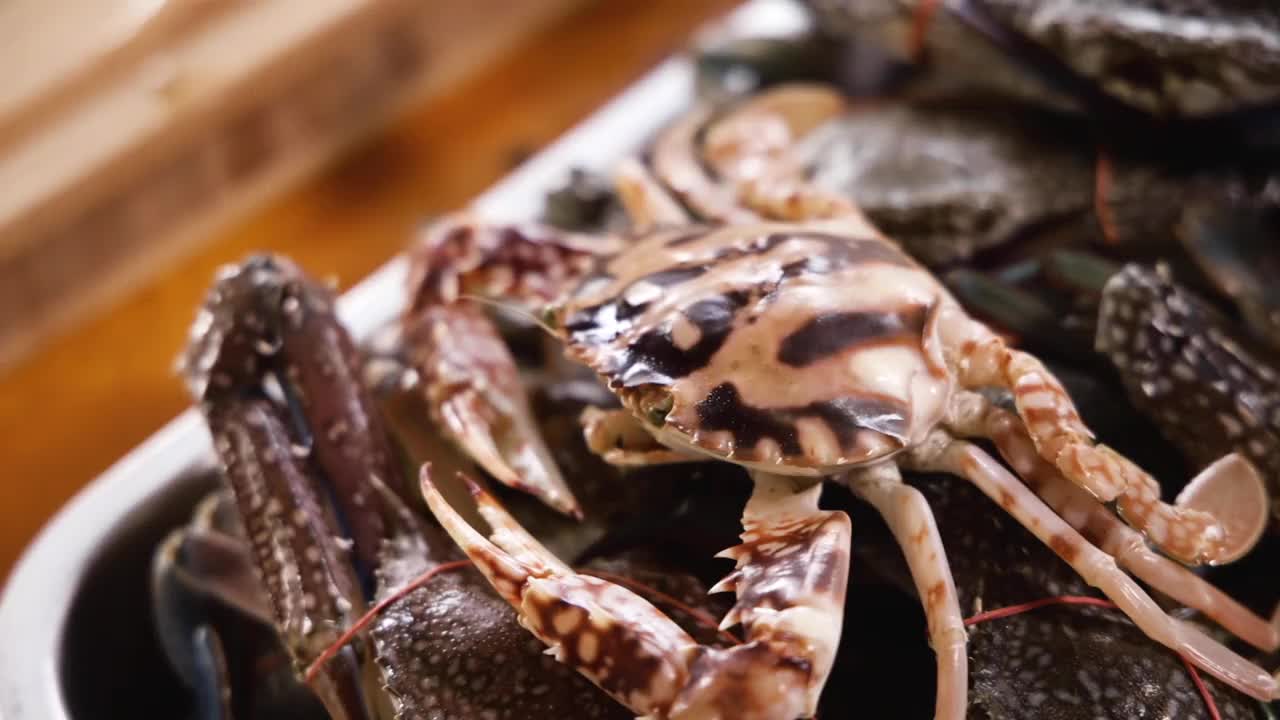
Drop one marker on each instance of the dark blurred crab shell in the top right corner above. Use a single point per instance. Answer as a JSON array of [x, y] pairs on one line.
[[1165, 58]]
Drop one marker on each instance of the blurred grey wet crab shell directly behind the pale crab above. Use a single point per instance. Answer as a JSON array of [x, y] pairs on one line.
[[948, 183]]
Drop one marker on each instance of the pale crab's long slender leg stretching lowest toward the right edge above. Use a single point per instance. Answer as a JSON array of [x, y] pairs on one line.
[[940, 453]]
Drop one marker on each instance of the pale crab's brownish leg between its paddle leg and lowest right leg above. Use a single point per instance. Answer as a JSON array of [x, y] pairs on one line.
[[1131, 550]]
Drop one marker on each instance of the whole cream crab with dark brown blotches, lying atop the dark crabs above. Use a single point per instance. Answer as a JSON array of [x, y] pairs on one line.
[[789, 336]]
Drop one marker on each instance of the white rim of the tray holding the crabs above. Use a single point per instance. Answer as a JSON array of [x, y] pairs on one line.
[[38, 595]]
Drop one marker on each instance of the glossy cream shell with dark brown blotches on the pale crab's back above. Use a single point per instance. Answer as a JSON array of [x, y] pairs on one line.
[[797, 349]]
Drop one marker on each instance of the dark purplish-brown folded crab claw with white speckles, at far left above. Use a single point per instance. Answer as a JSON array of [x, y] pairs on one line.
[[307, 458]]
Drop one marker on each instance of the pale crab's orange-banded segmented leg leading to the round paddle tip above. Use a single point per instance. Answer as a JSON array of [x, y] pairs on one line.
[[1062, 438]]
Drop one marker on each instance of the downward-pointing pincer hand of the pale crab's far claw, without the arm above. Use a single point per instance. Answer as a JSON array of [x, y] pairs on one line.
[[474, 389]]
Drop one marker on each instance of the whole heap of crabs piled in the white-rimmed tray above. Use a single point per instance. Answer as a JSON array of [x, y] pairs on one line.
[[953, 394]]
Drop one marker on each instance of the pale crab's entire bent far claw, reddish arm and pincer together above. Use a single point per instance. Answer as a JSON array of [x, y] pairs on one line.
[[469, 375]]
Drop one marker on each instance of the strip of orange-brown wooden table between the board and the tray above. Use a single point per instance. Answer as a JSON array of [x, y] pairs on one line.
[[80, 404]]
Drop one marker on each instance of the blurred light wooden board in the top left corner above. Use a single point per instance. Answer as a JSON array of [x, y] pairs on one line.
[[175, 117]]
